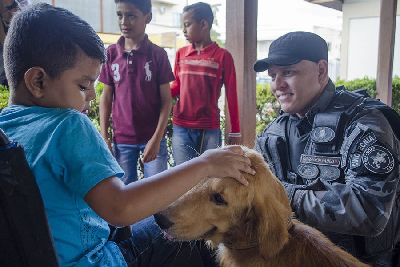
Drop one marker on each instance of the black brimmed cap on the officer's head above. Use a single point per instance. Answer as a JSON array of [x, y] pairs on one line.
[[292, 48]]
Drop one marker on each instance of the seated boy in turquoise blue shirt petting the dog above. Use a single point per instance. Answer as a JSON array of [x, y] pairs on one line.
[[52, 60]]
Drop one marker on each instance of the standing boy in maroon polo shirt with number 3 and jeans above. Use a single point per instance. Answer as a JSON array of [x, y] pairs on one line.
[[136, 81]]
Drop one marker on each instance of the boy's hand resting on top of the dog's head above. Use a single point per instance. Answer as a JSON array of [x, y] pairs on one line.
[[228, 162]]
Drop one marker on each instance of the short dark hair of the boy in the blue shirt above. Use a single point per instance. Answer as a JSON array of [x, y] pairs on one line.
[[48, 37]]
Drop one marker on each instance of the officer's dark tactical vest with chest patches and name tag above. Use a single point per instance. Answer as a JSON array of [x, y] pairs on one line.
[[326, 150]]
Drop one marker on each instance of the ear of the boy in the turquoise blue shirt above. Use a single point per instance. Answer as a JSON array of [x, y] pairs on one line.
[[35, 79]]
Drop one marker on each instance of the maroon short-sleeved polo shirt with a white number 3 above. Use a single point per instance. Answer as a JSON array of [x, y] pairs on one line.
[[136, 77]]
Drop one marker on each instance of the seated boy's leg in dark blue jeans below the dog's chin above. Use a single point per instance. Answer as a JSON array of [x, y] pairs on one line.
[[148, 247]]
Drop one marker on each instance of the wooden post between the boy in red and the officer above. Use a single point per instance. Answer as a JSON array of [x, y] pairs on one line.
[[241, 41]]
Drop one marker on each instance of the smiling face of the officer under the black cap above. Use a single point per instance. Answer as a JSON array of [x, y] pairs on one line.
[[298, 86]]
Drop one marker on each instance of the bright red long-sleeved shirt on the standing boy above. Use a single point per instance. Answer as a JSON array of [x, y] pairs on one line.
[[199, 76]]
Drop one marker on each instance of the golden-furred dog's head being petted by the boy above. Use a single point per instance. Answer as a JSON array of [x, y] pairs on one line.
[[224, 211]]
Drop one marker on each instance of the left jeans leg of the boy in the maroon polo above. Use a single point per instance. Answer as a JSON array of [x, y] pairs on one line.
[[127, 157]]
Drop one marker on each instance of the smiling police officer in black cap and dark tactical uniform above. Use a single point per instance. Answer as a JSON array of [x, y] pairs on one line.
[[334, 150]]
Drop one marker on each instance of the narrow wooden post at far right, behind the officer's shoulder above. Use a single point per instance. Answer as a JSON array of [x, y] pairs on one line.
[[387, 30]]
